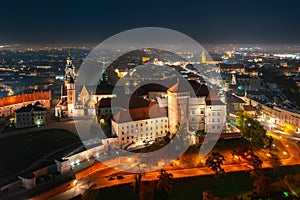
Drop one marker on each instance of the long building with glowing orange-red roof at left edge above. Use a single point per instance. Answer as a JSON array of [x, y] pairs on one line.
[[8, 105]]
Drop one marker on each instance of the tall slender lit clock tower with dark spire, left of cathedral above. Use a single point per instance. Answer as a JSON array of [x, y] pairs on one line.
[[70, 85]]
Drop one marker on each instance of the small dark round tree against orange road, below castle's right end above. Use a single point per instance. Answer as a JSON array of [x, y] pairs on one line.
[[214, 162]]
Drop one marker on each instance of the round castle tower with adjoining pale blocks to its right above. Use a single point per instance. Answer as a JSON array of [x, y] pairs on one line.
[[199, 109]]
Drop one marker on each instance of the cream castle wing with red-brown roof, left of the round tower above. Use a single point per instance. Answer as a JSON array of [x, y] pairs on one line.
[[137, 127]]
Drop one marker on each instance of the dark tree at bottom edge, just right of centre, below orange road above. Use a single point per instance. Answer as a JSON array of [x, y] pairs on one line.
[[164, 185]]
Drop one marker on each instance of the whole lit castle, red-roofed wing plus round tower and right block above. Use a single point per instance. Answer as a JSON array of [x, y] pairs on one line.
[[199, 109]]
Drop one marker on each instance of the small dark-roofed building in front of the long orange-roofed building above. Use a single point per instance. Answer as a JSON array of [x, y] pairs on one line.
[[30, 115]]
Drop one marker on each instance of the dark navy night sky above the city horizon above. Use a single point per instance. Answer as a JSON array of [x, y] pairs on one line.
[[210, 21]]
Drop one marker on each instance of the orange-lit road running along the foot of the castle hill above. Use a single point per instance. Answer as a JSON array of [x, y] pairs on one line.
[[100, 180]]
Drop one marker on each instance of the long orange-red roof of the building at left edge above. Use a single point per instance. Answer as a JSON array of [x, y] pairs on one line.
[[25, 97]]
